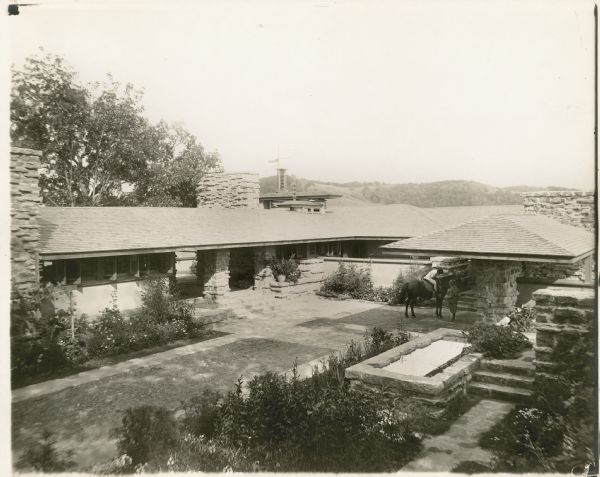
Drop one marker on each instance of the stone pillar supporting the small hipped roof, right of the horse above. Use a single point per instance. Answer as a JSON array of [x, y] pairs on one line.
[[495, 286]]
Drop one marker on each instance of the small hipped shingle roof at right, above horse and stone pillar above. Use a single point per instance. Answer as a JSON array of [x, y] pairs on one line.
[[506, 237]]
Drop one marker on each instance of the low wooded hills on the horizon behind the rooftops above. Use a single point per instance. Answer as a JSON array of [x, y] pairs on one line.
[[429, 194]]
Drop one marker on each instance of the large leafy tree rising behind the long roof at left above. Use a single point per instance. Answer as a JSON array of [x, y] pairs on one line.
[[95, 140]]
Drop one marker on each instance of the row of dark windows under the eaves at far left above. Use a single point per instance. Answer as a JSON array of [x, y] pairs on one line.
[[86, 271]]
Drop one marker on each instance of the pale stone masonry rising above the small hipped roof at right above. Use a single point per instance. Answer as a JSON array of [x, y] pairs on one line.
[[569, 207]]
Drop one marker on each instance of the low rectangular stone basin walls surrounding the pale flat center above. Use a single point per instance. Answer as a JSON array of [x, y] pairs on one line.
[[438, 390]]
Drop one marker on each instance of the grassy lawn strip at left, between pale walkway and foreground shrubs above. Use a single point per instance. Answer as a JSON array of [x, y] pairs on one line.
[[82, 417]]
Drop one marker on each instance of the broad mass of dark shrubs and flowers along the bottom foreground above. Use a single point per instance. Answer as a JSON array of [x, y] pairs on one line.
[[279, 424]]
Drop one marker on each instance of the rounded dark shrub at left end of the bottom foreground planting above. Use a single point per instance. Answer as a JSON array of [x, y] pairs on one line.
[[147, 433]]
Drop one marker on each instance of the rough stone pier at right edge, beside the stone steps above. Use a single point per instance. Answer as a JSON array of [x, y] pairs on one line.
[[564, 317]]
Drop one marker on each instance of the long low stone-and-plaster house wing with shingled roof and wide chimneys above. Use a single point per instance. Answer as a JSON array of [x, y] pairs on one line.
[[98, 253]]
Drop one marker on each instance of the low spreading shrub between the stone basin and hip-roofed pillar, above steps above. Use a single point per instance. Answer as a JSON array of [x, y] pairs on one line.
[[500, 342]]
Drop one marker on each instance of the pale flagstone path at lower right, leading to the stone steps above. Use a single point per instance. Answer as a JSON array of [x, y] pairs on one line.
[[460, 443]]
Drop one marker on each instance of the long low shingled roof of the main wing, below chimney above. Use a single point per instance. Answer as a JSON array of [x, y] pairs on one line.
[[86, 231]]
